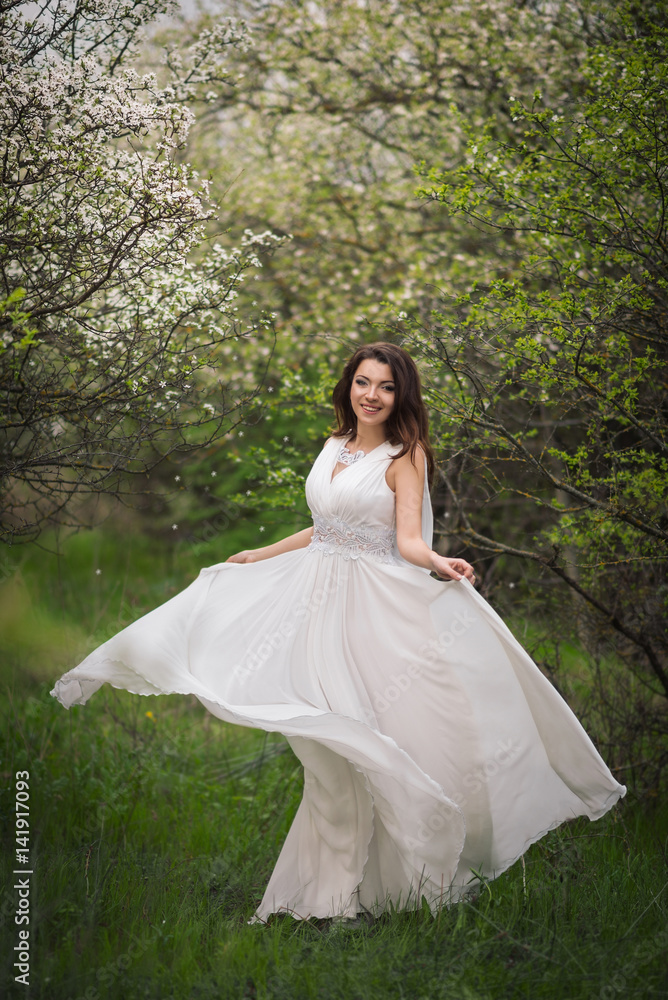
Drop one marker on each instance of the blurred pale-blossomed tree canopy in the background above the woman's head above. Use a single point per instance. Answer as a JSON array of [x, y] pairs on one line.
[[328, 113]]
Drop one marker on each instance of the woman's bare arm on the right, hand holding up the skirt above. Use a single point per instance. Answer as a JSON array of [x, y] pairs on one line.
[[407, 480]]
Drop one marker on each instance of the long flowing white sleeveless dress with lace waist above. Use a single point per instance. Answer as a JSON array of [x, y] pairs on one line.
[[433, 747]]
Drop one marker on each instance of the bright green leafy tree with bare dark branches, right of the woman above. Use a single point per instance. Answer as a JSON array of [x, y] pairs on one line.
[[551, 385]]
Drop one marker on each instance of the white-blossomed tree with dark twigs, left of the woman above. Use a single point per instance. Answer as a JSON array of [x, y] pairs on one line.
[[113, 304]]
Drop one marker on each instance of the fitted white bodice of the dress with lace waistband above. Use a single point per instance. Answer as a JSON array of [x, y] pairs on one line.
[[354, 512]]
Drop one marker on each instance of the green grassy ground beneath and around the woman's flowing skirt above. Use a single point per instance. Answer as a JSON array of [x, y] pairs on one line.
[[154, 828]]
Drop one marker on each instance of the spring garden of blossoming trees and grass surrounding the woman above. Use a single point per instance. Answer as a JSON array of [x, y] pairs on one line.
[[203, 211]]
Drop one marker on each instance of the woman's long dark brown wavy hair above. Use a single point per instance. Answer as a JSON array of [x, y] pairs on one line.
[[408, 423]]
